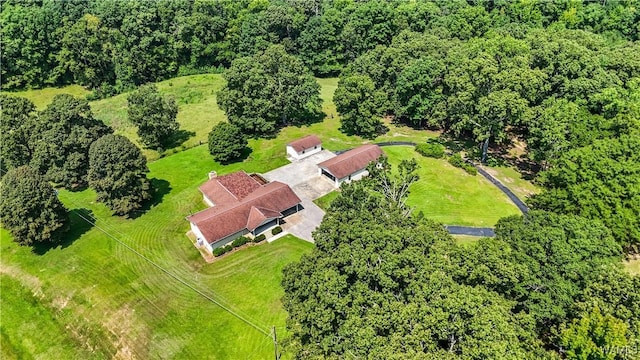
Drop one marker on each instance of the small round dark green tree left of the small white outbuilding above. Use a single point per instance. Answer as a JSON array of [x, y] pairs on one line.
[[226, 142]]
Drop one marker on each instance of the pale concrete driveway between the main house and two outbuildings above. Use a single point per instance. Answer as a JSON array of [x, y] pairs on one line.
[[303, 178]]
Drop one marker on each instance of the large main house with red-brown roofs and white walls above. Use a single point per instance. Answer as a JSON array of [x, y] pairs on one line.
[[240, 204]]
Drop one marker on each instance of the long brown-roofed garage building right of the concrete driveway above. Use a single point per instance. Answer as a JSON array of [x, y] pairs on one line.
[[350, 165]]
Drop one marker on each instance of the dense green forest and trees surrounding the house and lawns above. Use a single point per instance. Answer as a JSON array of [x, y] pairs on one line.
[[558, 79]]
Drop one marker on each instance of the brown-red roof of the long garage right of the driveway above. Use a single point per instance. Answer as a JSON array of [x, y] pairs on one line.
[[352, 161]]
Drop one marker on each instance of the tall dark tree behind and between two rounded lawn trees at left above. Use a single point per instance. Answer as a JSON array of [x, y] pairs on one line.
[[65, 131]]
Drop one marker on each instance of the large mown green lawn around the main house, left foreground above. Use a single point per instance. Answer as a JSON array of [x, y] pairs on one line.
[[114, 301]]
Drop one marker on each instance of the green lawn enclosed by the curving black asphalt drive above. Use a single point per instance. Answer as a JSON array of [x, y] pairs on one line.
[[449, 195]]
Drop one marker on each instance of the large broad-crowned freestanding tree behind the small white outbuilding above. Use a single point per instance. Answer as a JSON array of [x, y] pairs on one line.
[[269, 90]]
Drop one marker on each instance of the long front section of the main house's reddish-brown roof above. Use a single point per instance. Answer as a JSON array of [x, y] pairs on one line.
[[266, 202]]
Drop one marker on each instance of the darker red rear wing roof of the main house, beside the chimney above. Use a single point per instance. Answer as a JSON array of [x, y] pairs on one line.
[[229, 188]]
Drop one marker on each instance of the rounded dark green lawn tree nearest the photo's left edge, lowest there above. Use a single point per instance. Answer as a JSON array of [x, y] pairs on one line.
[[30, 209]]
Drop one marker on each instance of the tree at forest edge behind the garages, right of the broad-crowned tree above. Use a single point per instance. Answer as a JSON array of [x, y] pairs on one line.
[[357, 101]]
